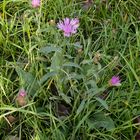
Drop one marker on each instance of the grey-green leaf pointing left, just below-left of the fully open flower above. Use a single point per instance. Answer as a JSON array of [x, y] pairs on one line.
[[46, 50]]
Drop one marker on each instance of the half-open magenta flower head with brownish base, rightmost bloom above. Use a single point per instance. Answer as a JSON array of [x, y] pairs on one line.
[[115, 81]]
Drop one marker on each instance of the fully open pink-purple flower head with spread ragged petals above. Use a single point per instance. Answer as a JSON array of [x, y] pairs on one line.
[[68, 26]]
